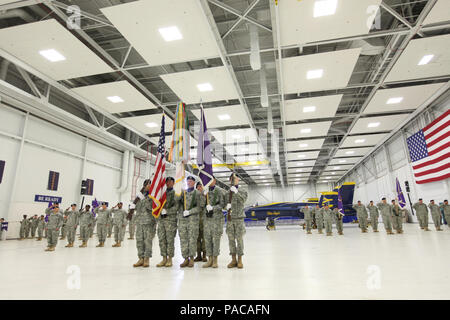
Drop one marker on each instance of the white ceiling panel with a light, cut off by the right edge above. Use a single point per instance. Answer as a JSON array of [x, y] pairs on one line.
[[407, 67]]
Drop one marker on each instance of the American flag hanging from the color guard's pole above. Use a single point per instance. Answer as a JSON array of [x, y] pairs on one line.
[[158, 186]]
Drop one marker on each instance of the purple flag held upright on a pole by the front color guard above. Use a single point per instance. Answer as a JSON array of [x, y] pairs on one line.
[[204, 157]]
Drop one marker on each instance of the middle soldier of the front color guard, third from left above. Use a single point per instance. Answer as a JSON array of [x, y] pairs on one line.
[[188, 222]]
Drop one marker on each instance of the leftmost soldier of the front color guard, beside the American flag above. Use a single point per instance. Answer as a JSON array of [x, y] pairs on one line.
[[145, 226]]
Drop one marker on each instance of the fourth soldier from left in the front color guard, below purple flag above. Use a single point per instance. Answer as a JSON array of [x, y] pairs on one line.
[[214, 220]]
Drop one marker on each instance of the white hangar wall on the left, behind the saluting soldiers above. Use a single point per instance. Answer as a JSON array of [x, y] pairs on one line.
[[49, 147]]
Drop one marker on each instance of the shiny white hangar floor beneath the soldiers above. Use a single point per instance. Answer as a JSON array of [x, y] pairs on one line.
[[282, 264]]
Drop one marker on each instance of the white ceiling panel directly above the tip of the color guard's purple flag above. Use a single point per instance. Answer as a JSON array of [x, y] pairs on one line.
[[185, 85]]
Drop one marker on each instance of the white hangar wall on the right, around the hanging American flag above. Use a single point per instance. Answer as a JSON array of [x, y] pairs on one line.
[[375, 176]]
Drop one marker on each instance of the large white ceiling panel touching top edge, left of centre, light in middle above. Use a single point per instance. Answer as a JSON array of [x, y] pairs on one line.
[[143, 22]]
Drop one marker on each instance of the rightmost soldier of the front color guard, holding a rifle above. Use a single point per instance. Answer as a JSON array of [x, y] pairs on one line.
[[235, 222]]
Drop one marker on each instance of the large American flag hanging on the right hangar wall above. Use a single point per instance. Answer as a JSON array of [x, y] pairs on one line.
[[430, 151]]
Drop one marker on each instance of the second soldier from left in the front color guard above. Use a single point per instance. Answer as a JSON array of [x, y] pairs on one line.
[[167, 226]]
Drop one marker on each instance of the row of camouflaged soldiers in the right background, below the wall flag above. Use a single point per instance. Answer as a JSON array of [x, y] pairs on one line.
[[391, 214]]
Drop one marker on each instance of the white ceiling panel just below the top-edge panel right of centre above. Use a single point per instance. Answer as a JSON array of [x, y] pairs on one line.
[[337, 69]]
